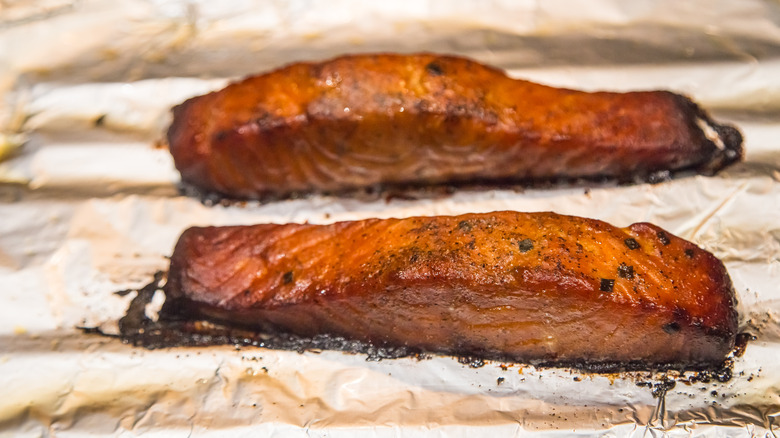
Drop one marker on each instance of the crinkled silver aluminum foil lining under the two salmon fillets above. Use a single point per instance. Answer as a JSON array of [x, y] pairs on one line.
[[89, 206]]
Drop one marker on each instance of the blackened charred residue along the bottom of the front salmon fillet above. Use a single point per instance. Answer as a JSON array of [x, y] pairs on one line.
[[176, 327]]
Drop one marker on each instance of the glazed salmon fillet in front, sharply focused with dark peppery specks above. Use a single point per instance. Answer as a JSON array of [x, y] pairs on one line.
[[534, 288]]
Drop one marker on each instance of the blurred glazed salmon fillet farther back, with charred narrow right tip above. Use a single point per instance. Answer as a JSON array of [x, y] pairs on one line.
[[368, 121]]
